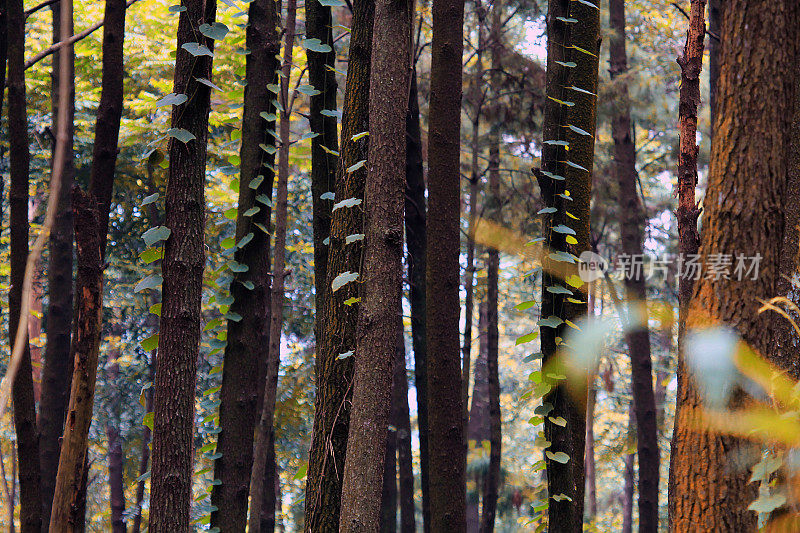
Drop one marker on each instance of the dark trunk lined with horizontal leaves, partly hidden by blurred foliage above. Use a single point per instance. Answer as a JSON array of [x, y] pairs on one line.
[[567, 43]]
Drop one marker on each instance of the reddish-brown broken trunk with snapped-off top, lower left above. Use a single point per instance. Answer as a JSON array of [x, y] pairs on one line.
[[89, 284]]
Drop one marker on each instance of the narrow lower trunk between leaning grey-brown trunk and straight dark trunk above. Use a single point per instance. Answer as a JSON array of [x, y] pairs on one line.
[[402, 424]]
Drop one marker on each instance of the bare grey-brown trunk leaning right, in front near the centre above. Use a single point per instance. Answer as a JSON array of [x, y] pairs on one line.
[[381, 272]]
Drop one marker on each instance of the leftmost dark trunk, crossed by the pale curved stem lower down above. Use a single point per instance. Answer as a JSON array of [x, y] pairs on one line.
[[19, 159]]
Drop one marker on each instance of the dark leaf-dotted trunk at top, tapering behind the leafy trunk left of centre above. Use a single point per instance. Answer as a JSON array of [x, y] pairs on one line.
[[322, 77]]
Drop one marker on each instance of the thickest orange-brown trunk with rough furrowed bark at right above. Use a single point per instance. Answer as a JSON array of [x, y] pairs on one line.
[[752, 137]]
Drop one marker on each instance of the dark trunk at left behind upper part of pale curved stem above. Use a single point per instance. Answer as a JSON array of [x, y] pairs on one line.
[[57, 367]]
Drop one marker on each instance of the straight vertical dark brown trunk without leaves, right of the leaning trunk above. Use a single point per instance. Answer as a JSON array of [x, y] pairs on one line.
[[446, 424]]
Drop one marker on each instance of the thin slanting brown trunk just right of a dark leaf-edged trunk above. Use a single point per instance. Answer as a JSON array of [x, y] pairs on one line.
[[262, 493]]
